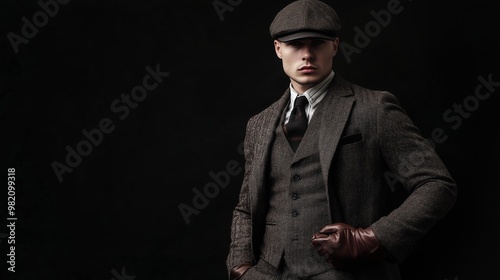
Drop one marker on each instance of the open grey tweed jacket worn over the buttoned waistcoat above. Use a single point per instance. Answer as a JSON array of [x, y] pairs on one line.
[[365, 138]]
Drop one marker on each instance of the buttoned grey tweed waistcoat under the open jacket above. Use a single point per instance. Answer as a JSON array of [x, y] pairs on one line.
[[298, 205]]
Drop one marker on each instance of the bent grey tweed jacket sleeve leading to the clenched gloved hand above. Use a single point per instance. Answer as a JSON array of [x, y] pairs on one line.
[[411, 158]]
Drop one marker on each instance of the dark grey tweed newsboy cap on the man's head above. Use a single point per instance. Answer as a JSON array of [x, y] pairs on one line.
[[303, 19]]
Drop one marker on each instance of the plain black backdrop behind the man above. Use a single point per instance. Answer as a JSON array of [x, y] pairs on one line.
[[117, 212]]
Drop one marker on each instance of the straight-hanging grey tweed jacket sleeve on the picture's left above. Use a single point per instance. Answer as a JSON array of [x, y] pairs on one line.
[[240, 249]]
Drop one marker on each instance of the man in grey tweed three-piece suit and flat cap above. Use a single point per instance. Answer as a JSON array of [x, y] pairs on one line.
[[314, 199]]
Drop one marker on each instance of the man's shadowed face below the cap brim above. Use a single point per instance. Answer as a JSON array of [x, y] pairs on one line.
[[306, 61]]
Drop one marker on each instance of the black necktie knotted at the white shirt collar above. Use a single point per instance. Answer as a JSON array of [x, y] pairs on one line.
[[297, 124]]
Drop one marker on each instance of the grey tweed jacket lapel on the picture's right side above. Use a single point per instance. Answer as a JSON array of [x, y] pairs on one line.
[[338, 105]]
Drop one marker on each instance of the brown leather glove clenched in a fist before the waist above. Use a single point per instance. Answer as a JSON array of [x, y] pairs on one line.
[[344, 244]]
